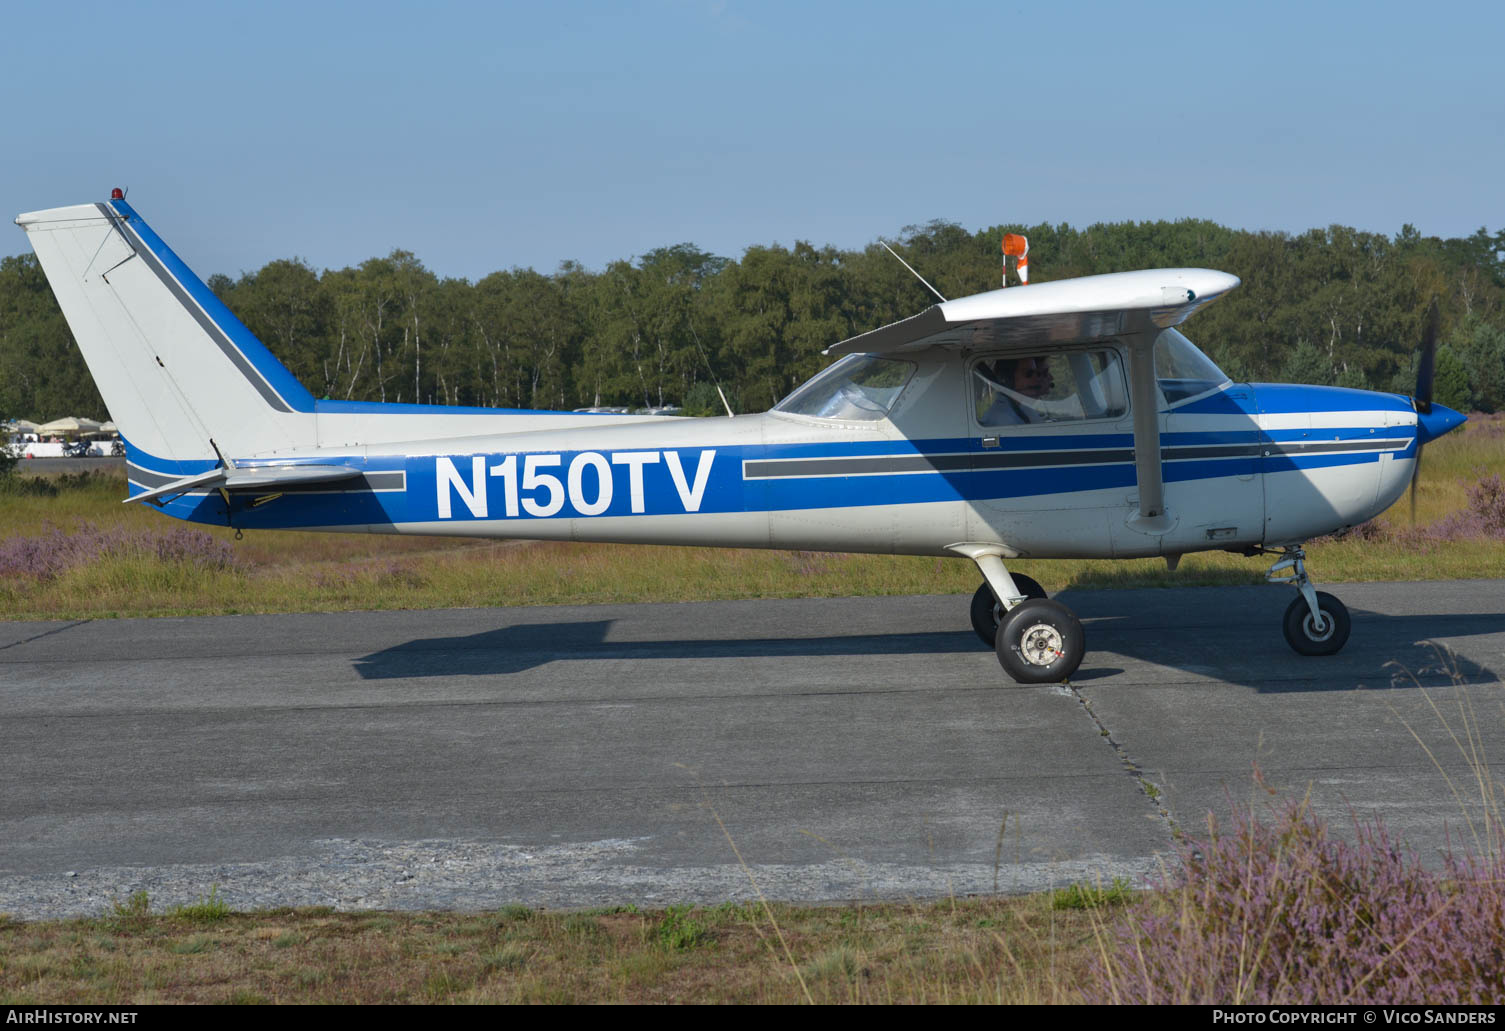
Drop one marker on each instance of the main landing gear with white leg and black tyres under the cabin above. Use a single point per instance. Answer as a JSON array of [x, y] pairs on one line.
[[1036, 640]]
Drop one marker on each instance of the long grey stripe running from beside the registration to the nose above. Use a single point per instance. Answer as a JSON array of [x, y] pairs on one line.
[[985, 461]]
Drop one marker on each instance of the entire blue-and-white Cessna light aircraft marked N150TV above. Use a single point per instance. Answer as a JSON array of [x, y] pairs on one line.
[[1065, 419]]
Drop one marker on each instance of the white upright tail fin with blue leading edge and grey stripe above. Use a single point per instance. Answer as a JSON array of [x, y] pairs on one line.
[[175, 368]]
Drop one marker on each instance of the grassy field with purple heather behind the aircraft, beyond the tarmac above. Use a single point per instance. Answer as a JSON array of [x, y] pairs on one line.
[[81, 555]]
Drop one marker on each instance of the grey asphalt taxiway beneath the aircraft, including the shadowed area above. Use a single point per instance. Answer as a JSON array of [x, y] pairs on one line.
[[812, 750]]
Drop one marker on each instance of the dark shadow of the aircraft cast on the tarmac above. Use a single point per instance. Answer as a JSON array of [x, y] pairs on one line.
[[1385, 651]]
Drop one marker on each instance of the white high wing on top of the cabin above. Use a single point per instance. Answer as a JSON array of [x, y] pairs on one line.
[[1062, 312]]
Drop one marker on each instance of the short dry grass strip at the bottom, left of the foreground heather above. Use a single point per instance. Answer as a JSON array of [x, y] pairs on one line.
[[976, 950]]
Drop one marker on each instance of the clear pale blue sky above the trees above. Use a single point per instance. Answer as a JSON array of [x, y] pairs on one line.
[[488, 136]]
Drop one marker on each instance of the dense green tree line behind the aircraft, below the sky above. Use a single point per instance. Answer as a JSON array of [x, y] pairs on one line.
[[1328, 306]]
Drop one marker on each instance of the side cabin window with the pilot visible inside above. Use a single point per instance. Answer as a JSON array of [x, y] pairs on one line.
[[1020, 391]]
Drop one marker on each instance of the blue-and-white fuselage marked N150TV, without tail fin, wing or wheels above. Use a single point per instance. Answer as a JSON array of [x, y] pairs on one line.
[[1244, 466]]
